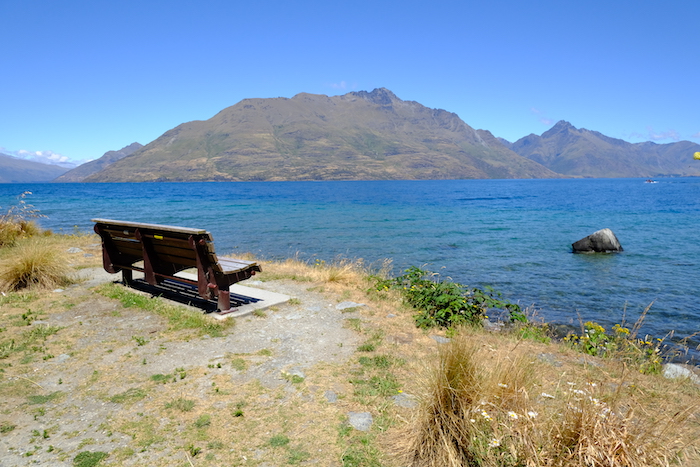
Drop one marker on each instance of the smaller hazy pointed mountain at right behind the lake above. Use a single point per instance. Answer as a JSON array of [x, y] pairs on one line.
[[583, 153]]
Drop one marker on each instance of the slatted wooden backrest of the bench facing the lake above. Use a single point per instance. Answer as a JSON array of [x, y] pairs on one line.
[[175, 248]]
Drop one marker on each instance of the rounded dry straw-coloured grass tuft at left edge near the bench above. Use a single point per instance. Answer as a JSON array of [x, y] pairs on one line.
[[33, 262]]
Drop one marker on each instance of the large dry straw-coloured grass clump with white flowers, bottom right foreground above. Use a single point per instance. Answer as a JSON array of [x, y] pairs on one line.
[[487, 408]]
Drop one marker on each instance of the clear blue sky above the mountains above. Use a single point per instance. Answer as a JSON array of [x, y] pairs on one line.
[[79, 78]]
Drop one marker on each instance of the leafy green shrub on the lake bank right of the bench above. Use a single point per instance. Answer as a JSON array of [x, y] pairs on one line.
[[447, 304]]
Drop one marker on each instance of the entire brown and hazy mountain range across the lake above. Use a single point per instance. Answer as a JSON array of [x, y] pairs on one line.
[[369, 136]]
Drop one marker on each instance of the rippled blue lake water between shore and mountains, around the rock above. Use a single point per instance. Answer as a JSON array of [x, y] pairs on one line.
[[514, 235]]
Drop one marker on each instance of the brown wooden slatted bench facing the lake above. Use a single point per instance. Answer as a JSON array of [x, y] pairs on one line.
[[166, 250]]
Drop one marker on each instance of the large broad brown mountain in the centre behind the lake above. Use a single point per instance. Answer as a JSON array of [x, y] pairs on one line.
[[356, 136]]
